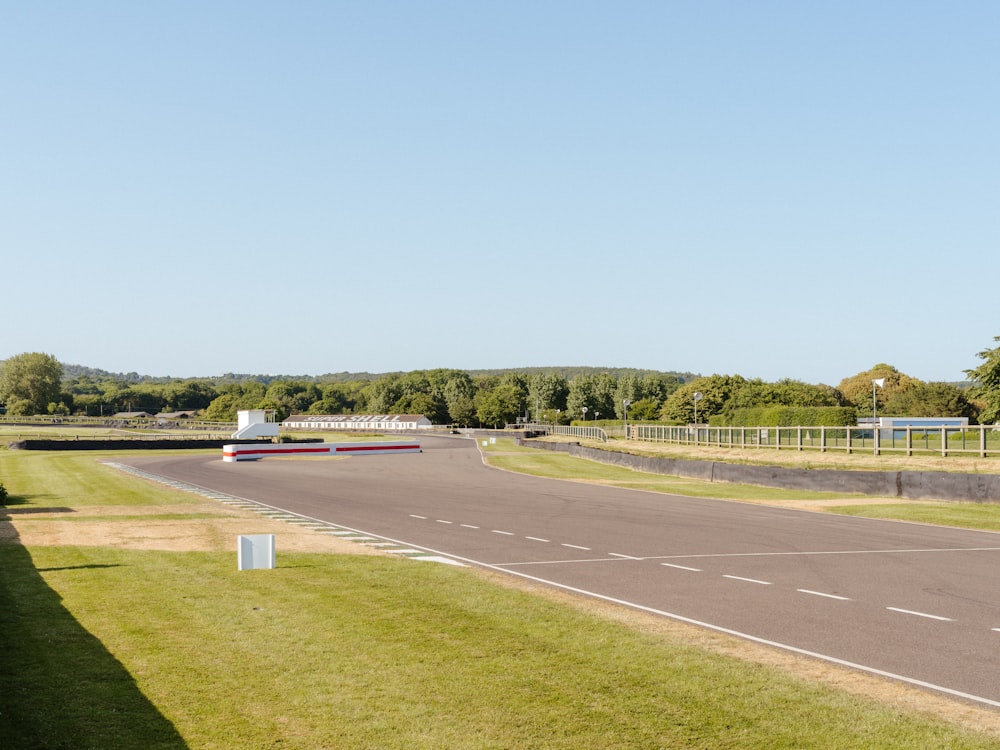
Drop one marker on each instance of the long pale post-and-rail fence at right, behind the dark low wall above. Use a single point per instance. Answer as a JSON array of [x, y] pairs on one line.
[[981, 440]]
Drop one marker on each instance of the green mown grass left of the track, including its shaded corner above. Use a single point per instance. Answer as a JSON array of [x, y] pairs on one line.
[[105, 647]]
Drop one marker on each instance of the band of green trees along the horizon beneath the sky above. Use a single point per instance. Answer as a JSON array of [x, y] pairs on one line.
[[36, 383]]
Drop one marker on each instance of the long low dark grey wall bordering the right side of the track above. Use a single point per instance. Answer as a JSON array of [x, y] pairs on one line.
[[912, 485]]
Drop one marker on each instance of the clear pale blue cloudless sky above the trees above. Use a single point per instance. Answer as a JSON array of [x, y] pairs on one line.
[[770, 189]]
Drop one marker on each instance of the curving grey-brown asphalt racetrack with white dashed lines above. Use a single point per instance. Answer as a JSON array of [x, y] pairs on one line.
[[916, 602]]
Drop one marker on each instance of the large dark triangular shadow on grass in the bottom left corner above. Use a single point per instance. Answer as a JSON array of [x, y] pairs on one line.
[[59, 685]]
